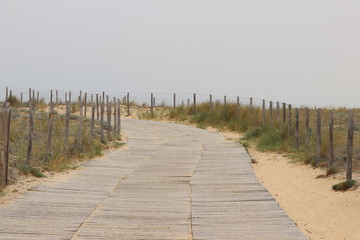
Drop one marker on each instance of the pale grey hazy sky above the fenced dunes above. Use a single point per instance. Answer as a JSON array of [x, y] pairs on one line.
[[302, 52]]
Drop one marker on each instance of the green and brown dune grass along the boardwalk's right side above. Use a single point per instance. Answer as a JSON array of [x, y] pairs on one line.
[[273, 136]]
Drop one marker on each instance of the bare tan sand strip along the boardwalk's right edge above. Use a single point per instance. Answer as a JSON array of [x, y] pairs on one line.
[[316, 209]]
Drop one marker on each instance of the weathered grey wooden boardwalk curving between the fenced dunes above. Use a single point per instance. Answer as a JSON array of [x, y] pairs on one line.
[[172, 182]]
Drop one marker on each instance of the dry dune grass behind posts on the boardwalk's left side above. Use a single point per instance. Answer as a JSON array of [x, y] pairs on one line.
[[60, 156]]
